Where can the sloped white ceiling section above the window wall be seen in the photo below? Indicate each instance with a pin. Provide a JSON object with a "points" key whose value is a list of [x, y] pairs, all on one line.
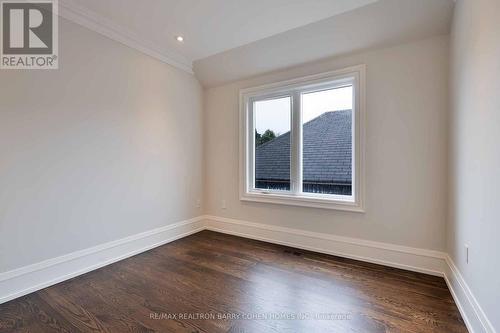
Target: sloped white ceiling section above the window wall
{"points": [[383, 23]]}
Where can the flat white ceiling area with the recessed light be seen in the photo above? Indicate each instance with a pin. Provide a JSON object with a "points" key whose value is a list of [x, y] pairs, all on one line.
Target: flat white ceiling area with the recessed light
{"points": [[208, 26]]}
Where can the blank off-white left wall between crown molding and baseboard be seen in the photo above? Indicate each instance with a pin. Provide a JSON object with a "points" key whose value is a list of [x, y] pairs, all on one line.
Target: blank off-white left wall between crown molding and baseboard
{"points": [[107, 146]]}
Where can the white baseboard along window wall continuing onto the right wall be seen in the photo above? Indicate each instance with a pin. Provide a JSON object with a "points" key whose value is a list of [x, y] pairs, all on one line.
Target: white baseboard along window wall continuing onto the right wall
{"points": [[409, 258]]}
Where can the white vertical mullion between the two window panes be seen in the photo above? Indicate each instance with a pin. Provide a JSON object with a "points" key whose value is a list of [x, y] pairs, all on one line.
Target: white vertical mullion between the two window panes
{"points": [[296, 145]]}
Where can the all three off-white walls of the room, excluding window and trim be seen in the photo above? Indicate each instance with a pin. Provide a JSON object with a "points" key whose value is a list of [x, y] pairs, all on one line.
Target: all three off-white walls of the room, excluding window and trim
{"points": [[115, 143]]}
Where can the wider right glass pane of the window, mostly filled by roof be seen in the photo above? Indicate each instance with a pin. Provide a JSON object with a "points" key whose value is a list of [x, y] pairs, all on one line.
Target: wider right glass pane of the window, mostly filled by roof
{"points": [[327, 141]]}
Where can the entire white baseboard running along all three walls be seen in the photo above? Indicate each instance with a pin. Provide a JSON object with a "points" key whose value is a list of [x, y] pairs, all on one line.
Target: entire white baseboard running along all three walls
{"points": [[37, 276]]}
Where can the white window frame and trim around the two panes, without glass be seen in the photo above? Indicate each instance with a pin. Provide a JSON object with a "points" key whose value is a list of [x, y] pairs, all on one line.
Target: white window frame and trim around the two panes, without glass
{"points": [[353, 75]]}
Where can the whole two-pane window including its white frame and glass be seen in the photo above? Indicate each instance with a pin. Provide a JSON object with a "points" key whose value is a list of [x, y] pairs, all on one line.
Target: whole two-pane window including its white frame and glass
{"points": [[301, 141]]}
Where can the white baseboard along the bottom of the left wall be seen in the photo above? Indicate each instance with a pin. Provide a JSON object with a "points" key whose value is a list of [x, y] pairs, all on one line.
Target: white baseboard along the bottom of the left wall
{"points": [[27, 279]]}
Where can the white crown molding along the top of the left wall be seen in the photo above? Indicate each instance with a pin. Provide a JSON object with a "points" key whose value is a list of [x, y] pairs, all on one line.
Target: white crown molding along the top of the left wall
{"points": [[105, 27]]}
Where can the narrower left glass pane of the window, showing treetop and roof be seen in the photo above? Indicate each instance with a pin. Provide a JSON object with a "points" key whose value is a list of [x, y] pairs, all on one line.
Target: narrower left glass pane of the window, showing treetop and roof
{"points": [[272, 143]]}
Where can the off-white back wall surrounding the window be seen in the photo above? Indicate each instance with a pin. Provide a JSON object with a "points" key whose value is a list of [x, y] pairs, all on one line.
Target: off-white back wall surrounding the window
{"points": [[406, 149]]}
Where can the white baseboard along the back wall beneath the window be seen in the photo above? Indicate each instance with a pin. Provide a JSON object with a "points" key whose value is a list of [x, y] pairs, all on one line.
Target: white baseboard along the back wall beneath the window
{"points": [[409, 258]]}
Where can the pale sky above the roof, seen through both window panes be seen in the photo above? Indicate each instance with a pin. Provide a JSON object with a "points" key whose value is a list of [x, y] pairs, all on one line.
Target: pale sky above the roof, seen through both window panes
{"points": [[275, 114]]}
